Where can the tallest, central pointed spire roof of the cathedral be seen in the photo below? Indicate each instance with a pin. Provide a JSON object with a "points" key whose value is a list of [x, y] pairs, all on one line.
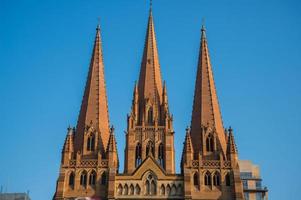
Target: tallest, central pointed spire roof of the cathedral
{"points": [[150, 83]]}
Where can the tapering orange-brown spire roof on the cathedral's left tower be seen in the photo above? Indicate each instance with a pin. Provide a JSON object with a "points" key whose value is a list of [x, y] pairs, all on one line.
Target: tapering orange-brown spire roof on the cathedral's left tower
{"points": [[94, 108]]}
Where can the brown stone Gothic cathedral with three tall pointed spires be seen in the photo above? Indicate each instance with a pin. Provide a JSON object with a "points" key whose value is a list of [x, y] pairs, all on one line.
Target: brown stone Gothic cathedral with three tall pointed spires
{"points": [[89, 166]]}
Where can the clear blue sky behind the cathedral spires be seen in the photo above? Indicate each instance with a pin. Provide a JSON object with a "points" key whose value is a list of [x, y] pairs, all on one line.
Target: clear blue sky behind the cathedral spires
{"points": [[45, 49]]}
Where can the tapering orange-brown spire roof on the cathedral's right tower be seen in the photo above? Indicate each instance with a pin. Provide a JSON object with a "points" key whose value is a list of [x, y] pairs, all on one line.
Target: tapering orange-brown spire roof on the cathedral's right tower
{"points": [[206, 111]]}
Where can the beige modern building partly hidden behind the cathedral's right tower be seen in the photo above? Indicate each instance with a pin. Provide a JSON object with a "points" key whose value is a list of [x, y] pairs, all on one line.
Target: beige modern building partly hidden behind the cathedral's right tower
{"points": [[252, 182]]}
